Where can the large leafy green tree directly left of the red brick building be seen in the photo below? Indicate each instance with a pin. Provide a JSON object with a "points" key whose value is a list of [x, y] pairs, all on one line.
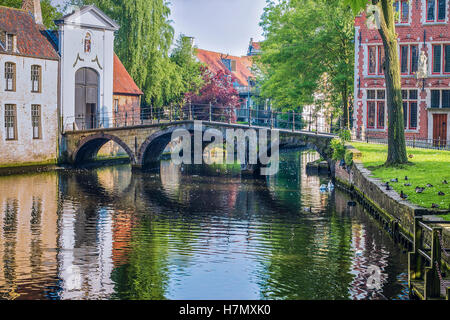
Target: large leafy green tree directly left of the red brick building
{"points": [[305, 40]]}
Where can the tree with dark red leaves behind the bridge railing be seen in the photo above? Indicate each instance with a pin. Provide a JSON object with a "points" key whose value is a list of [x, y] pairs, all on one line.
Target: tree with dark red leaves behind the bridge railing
{"points": [[217, 91]]}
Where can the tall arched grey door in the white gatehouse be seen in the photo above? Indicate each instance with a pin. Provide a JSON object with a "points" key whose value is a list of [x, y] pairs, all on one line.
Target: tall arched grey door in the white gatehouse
{"points": [[86, 98]]}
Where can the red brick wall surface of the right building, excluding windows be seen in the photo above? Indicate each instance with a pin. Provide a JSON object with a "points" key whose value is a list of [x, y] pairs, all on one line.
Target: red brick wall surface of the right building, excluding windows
{"points": [[415, 32]]}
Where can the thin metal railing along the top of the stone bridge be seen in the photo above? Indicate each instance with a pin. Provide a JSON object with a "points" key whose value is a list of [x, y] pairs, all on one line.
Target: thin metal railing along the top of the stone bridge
{"points": [[205, 112]]}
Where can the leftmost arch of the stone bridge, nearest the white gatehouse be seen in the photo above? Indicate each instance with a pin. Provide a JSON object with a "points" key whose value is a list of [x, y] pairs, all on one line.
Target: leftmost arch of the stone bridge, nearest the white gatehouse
{"points": [[88, 147]]}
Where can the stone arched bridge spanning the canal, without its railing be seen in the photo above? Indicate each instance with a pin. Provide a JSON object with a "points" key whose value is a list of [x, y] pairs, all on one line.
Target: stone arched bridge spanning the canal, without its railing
{"points": [[145, 143]]}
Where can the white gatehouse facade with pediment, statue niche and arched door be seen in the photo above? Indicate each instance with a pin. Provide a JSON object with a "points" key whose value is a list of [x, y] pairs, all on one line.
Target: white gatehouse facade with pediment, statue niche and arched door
{"points": [[86, 46]]}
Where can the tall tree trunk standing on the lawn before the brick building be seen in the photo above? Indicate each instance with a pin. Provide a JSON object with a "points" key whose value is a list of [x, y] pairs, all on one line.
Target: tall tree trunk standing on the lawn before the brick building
{"points": [[383, 12]]}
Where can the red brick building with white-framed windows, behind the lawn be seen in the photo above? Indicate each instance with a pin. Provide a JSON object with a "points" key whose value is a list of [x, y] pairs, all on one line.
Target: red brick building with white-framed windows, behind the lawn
{"points": [[423, 31]]}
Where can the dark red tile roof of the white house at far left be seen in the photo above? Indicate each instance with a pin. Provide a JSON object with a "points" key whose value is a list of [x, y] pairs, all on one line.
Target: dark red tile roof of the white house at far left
{"points": [[30, 40]]}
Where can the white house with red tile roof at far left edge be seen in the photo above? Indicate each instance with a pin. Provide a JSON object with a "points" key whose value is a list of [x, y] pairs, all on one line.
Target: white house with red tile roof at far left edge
{"points": [[28, 90]]}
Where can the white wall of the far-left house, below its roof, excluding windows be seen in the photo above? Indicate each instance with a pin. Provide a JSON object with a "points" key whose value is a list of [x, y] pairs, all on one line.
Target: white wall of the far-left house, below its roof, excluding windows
{"points": [[26, 150]]}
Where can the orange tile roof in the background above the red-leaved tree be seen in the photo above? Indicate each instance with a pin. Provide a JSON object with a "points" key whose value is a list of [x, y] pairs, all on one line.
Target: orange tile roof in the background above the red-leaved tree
{"points": [[213, 61]]}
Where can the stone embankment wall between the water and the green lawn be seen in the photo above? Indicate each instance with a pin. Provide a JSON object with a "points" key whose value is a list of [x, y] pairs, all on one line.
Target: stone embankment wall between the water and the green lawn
{"points": [[395, 214]]}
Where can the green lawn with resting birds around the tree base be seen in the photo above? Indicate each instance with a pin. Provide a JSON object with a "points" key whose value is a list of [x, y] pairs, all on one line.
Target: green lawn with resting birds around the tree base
{"points": [[427, 166]]}
